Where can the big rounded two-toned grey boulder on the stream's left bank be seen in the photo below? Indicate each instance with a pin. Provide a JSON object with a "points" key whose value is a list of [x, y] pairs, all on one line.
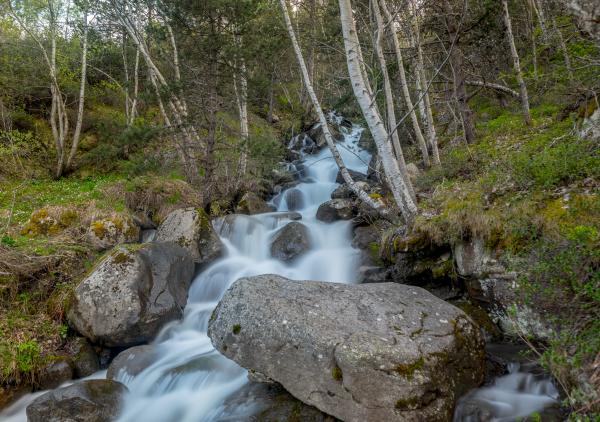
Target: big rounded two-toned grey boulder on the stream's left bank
{"points": [[132, 293]]}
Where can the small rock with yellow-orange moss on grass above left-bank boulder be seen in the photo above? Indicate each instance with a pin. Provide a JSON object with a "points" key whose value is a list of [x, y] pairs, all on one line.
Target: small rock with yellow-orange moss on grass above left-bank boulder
{"points": [[104, 233]]}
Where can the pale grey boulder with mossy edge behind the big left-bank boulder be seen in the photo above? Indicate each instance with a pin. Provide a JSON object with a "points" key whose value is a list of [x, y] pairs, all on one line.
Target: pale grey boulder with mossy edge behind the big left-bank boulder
{"points": [[191, 229]]}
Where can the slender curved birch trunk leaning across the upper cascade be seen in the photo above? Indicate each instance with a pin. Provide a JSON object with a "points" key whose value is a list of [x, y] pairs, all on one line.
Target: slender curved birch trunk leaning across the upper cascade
{"points": [[323, 120]]}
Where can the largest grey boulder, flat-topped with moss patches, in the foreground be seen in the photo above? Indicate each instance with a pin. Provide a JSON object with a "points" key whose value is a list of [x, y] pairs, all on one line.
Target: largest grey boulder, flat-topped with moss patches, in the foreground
{"points": [[371, 352]]}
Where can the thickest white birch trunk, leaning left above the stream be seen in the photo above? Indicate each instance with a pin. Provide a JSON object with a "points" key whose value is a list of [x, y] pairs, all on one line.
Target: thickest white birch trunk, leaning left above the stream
{"points": [[362, 92]]}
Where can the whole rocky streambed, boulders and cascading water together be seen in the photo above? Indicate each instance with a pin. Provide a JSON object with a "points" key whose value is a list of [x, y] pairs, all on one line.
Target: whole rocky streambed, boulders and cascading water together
{"points": [[276, 326]]}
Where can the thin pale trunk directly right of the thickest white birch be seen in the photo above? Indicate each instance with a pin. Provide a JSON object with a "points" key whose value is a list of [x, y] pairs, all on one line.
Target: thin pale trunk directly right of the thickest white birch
{"points": [[389, 99]]}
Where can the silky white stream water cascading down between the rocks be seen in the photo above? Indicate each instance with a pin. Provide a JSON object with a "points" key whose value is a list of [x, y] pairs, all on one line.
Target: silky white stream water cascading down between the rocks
{"points": [[189, 381]]}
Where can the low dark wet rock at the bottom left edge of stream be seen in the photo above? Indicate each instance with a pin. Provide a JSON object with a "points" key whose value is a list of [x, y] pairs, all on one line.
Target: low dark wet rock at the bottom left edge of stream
{"points": [[84, 401]]}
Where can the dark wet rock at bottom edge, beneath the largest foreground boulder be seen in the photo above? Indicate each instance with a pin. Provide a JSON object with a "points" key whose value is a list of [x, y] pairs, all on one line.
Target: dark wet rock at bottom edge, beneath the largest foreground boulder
{"points": [[269, 403]]}
